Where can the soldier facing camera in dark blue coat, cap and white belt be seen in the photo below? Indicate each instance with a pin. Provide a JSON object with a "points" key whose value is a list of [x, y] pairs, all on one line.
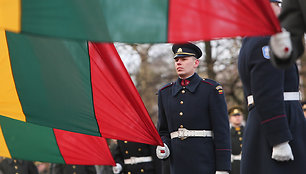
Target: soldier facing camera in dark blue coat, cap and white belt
{"points": [[193, 121]]}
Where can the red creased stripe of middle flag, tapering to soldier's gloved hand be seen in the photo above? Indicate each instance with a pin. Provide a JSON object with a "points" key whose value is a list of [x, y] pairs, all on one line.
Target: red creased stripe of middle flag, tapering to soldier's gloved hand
{"points": [[119, 109]]}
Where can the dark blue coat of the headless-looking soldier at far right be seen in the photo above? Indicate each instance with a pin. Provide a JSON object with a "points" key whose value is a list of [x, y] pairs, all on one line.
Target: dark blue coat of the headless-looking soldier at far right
{"points": [[271, 120]]}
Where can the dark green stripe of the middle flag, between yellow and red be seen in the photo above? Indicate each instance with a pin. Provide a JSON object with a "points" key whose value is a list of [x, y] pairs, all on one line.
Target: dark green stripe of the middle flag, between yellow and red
{"points": [[52, 78]]}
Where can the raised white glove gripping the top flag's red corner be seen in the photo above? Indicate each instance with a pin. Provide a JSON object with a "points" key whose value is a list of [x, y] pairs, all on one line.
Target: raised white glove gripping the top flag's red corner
{"points": [[281, 44]]}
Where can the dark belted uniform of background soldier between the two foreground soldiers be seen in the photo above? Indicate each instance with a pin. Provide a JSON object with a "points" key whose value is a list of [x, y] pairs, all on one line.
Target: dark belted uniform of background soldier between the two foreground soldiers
{"points": [[236, 140]]}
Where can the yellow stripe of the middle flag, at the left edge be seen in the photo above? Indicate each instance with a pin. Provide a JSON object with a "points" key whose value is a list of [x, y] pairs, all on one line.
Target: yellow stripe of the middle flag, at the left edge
{"points": [[10, 105]]}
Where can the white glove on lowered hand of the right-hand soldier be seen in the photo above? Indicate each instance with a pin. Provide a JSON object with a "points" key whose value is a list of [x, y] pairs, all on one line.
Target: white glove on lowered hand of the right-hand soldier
{"points": [[282, 152]]}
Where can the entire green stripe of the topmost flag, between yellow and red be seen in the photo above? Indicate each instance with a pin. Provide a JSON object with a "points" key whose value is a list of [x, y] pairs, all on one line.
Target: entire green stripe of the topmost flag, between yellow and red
{"points": [[97, 20]]}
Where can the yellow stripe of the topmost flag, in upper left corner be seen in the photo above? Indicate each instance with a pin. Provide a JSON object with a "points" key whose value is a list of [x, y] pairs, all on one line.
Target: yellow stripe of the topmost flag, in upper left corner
{"points": [[10, 14]]}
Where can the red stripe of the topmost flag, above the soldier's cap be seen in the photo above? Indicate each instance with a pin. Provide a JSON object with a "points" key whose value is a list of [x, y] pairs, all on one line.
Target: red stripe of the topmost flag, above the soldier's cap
{"points": [[212, 19]]}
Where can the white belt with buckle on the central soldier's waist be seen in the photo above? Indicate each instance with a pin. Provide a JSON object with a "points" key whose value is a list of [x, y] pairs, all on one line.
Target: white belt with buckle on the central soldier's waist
{"points": [[185, 133]]}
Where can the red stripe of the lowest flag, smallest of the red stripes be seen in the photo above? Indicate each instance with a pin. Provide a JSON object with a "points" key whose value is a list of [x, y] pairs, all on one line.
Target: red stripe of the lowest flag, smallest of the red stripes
{"points": [[83, 149]]}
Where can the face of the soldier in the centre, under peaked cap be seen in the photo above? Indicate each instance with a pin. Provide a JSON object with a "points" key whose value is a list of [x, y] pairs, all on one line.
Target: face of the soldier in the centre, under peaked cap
{"points": [[185, 66]]}
